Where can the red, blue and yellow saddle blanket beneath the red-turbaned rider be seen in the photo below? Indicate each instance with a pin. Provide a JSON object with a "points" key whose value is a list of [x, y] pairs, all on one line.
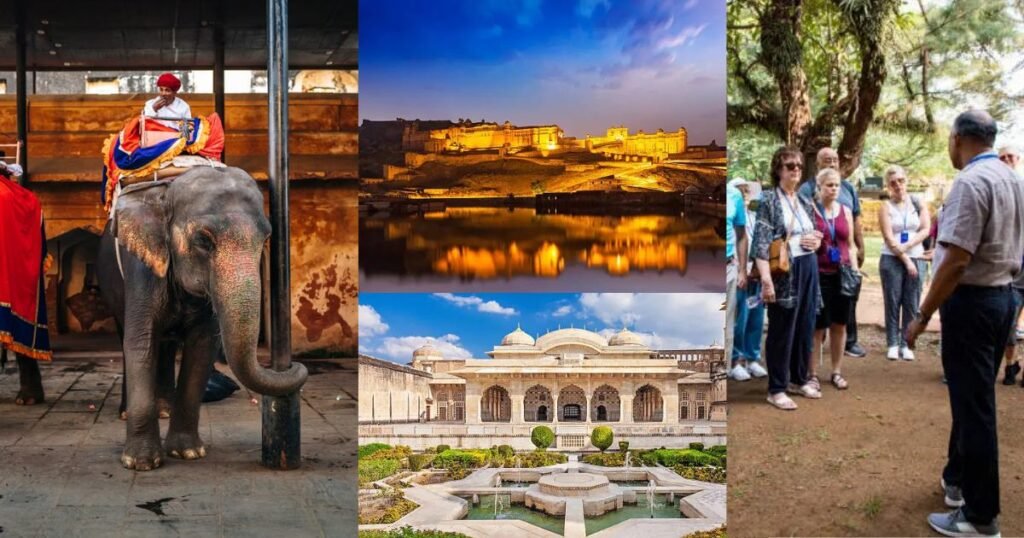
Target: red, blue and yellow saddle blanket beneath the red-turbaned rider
{"points": [[125, 156]]}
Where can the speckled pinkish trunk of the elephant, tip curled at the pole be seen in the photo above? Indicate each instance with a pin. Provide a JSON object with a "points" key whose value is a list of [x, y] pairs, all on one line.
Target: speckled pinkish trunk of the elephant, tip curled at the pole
{"points": [[236, 295]]}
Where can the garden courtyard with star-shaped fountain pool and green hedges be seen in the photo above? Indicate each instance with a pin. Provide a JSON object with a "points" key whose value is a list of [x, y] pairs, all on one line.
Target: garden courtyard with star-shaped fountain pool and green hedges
{"points": [[447, 492]]}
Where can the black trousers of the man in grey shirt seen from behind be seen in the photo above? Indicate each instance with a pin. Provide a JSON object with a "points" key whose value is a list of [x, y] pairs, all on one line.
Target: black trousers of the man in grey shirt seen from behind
{"points": [[976, 323]]}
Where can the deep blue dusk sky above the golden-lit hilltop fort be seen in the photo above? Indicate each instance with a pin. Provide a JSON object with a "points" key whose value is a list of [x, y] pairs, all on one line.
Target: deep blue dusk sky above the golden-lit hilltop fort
{"points": [[585, 65]]}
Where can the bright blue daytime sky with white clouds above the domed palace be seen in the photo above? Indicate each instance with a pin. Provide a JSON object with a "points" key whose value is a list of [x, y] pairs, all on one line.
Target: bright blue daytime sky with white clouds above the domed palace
{"points": [[394, 325]]}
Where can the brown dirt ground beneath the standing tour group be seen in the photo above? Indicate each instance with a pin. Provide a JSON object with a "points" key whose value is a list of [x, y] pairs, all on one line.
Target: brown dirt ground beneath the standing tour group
{"points": [[862, 463]]}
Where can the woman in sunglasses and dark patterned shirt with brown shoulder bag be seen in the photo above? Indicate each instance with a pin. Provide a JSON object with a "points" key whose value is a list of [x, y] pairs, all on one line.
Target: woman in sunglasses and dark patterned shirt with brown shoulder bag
{"points": [[793, 298]]}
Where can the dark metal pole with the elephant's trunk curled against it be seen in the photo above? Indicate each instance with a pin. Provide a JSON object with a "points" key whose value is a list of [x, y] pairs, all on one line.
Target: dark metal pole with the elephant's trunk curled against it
{"points": [[281, 415]]}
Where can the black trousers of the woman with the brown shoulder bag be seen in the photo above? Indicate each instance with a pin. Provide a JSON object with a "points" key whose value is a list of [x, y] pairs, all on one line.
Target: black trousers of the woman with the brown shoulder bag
{"points": [[791, 332]]}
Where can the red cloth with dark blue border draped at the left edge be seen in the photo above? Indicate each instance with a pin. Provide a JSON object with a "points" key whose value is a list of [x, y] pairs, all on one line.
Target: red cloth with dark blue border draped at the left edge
{"points": [[23, 261]]}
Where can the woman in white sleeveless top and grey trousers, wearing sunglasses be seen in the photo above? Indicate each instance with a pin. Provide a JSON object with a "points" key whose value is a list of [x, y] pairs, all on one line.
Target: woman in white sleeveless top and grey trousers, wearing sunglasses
{"points": [[906, 224]]}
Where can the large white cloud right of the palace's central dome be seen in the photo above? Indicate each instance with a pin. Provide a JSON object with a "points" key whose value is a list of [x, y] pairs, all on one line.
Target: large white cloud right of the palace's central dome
{"points": [[669, 320]]}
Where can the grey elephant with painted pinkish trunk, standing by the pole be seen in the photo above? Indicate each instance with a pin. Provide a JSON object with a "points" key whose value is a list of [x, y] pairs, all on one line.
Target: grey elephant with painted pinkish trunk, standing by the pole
{"points": [[180, 264]]}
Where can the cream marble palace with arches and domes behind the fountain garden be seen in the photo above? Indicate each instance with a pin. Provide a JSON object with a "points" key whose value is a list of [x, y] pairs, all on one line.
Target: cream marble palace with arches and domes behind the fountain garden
{"points": [[570, 380]]}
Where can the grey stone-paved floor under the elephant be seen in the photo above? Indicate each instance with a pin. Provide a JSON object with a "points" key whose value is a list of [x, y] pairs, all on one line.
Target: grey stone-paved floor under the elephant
{"points": [[61, 476]]}
